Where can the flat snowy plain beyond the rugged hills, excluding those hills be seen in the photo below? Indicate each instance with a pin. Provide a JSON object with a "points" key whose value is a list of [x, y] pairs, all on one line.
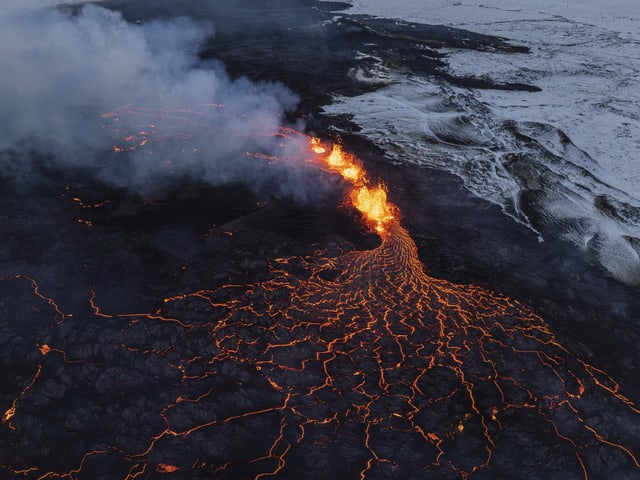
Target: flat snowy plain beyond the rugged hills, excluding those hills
{"points": [[585, 57]]}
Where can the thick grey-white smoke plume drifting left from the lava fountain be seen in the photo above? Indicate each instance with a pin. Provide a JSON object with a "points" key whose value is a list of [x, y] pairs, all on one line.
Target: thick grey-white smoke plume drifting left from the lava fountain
{"points": [[62, 70]]}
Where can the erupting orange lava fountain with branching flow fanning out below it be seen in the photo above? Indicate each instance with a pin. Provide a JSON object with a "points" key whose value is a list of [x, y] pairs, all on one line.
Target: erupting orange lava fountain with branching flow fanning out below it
{"points": [[348, 363]]}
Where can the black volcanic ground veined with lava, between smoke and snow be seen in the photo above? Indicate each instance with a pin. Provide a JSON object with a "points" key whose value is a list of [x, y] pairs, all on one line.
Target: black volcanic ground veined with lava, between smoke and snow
{"points": [[192, 328]]}
